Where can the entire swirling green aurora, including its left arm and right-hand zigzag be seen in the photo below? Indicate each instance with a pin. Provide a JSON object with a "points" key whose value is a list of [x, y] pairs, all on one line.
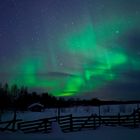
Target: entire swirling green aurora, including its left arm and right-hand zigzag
{"points": [[81, 43]]}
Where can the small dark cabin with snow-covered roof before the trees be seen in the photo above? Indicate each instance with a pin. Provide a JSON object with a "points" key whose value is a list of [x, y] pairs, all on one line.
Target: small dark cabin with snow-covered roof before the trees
{"points": [[36, 107]]}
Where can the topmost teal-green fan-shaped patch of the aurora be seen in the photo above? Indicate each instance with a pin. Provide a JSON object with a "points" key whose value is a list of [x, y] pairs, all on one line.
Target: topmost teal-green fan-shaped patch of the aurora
{"points": [[81, 41]]}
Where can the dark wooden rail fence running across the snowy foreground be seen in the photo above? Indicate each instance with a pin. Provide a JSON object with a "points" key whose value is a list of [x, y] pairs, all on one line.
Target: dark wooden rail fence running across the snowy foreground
{"points": [[69, 123]]}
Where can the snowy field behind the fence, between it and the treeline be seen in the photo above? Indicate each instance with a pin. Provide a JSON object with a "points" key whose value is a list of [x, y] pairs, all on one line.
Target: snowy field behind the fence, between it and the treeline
{"points": [[75, 111]]}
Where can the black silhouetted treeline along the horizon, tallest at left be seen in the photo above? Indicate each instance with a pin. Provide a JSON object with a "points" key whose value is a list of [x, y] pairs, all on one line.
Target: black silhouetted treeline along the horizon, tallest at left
{"points": [[19, 98]]}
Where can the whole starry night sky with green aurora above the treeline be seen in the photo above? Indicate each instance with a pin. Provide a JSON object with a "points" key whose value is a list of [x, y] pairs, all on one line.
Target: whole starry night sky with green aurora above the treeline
{"points": [[82, 48]]}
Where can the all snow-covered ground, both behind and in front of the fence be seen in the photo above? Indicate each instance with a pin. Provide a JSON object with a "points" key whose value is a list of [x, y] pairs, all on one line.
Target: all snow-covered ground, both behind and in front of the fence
{"points": [[107, 133]]}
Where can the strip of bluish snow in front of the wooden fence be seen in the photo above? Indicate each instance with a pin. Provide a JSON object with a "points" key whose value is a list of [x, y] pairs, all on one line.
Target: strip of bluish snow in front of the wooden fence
{"points": [[103, 133]]}
